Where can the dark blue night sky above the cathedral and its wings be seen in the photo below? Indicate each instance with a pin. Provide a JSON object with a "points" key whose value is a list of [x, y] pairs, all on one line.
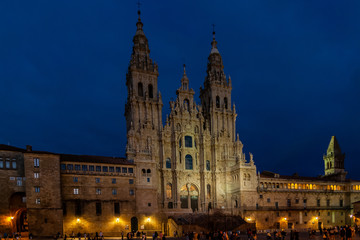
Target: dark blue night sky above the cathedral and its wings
{"points": [[295, 69]]}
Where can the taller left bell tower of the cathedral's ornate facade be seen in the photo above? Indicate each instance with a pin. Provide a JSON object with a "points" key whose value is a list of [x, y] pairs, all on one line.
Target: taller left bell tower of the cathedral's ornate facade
{"points": [[143, 121]]}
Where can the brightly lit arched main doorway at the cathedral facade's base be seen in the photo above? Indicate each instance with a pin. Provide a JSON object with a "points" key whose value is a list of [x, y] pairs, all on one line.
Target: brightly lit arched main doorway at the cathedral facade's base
{"points": [[189, 197]]}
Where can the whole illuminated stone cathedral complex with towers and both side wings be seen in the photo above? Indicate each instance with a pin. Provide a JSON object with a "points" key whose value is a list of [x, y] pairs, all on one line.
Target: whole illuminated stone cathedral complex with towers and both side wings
{"points": [[191, 165]]}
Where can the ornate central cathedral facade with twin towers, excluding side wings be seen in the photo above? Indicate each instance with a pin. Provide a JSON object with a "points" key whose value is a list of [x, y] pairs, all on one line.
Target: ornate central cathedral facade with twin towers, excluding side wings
{"points": [[183, 165]]}
